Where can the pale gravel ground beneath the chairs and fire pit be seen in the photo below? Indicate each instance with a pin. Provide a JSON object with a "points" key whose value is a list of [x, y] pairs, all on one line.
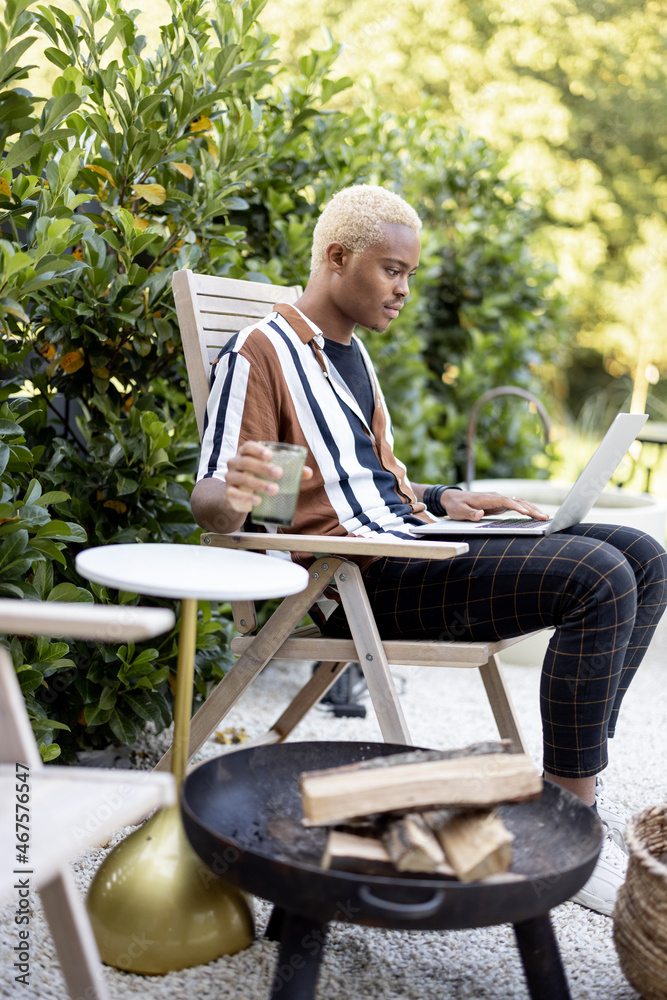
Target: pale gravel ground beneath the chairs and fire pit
{"points": [[443, 708]]}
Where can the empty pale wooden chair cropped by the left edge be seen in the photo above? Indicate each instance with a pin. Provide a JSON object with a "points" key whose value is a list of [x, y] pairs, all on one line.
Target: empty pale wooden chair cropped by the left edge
{"points": [[60, 811]]}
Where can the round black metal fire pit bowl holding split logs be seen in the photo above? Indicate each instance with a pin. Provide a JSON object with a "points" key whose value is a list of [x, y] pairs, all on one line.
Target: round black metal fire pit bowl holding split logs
{"points": [[242, 813]]}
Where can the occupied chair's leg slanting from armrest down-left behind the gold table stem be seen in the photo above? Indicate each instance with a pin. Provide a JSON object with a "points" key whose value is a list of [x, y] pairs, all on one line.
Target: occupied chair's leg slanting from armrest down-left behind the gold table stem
{"points": [[269, 639]]}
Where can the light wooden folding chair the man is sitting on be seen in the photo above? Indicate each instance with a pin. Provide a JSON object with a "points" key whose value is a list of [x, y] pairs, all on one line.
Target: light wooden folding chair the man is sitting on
{"points": [[210, 310]]}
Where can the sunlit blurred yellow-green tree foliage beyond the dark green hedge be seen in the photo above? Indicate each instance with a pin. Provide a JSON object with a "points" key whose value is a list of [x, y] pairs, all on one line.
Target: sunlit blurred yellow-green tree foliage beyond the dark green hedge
{"points": [[573, 95]]}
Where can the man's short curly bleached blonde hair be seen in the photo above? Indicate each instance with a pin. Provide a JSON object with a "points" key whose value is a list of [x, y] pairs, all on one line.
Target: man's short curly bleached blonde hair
{"points": [[354, 217]]}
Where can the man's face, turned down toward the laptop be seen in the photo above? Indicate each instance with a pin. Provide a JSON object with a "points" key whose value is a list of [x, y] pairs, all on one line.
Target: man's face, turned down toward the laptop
{"points": [[372, 286]]}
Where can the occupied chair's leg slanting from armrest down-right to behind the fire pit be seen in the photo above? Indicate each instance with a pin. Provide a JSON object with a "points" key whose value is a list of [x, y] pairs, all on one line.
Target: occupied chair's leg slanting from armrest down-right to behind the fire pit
{"points": [[371, 654]]}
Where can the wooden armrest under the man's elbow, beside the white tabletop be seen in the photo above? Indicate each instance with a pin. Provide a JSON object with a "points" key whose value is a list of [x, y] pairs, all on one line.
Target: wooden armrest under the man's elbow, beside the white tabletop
{"points": [[336, 545]]}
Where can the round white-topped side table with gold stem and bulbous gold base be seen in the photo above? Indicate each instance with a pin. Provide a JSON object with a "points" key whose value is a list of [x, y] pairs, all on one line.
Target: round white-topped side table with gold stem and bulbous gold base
{"points": [[152, 887]]}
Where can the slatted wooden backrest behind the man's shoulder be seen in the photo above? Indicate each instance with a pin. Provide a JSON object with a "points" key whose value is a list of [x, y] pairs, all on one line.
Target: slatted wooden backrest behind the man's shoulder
{"points": [[210, 309]]}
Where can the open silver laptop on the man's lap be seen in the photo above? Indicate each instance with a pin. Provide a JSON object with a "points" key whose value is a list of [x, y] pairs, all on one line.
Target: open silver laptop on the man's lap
{"points": [[577, 503]]}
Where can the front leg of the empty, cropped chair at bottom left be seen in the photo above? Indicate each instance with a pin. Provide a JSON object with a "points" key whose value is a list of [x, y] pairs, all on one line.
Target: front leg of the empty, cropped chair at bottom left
{"points": [[73, 937]]}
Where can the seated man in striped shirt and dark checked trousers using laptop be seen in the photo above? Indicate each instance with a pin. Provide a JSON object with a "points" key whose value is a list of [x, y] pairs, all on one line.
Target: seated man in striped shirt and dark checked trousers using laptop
{"points": [[302, 376]]}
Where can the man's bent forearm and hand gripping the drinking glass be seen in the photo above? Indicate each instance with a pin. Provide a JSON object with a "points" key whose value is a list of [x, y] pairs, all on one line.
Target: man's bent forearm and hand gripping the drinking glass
{"points": [[223, 507]]}
